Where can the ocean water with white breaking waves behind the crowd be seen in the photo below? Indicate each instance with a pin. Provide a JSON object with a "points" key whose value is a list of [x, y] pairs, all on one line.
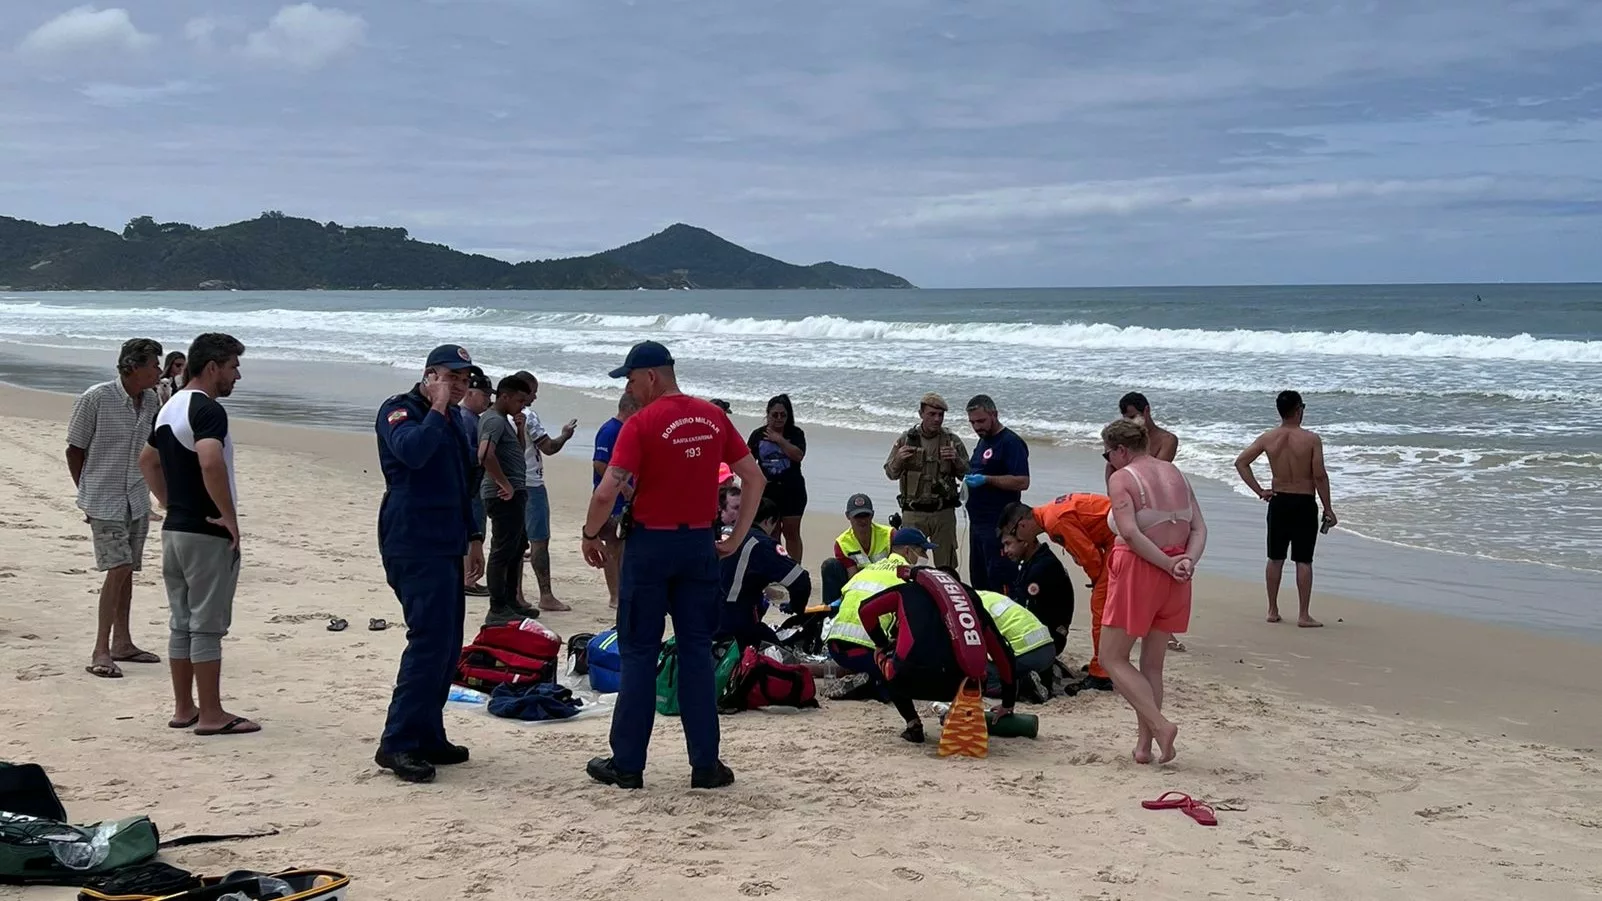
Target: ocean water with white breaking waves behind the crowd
{"points": [[1465, 419]]}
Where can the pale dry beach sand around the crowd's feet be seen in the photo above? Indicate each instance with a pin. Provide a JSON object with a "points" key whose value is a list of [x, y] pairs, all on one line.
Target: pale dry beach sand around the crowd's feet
{"points": [[1396, 754]]}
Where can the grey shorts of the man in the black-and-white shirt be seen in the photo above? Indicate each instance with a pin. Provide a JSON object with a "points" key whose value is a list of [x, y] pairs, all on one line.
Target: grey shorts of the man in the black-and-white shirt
{"points": [[201, 575]]}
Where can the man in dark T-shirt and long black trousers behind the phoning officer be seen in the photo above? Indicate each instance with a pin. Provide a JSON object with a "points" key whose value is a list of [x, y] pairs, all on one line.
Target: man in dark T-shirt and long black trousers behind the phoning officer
{"points": [[505, 498]]}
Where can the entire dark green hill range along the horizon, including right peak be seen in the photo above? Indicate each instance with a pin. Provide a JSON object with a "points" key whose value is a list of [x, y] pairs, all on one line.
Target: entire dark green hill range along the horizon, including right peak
{"points": [[278, 253]]}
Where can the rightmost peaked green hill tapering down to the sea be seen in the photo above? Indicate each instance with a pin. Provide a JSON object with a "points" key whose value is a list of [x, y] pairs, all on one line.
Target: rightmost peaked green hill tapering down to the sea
{"points": [[704, 261]]}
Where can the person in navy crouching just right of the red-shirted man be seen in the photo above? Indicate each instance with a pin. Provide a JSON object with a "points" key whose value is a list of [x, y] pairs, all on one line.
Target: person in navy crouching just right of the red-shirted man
{"points": [[747, 576]]}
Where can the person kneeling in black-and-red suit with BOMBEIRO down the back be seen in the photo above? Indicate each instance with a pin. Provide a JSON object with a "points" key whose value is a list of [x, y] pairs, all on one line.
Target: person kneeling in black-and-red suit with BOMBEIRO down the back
{"points": [[944, 637]]}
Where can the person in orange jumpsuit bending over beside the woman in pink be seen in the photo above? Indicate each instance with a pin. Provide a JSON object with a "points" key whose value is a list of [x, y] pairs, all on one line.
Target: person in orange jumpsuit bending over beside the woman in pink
{"points": [[1079, 525]]}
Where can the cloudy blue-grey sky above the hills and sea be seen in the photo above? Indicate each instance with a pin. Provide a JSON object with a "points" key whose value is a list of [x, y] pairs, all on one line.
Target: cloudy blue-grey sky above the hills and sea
{"points": [[956, 143]]}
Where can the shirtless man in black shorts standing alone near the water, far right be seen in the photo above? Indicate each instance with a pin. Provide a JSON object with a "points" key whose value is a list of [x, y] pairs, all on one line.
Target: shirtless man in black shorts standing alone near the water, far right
{"points": [[1297, 463]]}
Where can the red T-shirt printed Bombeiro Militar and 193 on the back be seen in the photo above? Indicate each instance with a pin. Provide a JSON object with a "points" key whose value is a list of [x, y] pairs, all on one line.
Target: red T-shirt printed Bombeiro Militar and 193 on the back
{"points": [[674, 446]]}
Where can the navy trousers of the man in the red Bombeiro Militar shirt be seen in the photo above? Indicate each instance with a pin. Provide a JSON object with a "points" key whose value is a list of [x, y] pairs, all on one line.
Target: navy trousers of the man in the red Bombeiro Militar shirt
{"points": [[667, 573]]}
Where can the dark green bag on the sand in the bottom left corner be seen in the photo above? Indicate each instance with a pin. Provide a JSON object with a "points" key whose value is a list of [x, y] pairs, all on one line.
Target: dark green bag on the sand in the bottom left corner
{"points": [[28, 857]]}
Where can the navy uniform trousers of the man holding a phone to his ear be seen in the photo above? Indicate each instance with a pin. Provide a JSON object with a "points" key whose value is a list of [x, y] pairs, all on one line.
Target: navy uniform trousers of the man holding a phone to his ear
{"points": [[435, 605]]}
